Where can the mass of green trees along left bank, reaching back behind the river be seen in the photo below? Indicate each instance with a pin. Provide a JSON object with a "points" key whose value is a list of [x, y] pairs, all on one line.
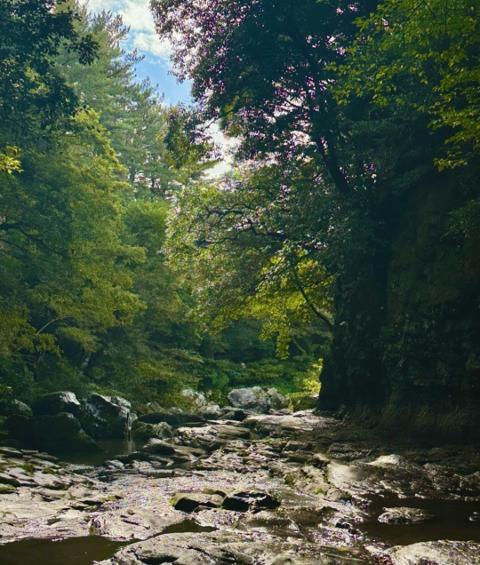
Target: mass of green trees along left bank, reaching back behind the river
{"points": [[96, 288]]}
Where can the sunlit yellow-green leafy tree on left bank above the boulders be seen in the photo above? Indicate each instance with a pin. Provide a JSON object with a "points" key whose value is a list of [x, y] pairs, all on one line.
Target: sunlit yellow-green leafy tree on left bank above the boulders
{"points": [[62, 279]]}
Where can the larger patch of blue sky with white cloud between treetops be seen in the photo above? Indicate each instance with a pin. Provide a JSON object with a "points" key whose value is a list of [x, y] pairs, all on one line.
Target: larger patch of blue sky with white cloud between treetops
{"points": [[156, 64]]}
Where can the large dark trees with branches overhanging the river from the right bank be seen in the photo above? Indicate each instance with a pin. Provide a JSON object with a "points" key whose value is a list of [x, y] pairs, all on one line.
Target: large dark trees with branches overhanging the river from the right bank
{"points": [[350, 116]]}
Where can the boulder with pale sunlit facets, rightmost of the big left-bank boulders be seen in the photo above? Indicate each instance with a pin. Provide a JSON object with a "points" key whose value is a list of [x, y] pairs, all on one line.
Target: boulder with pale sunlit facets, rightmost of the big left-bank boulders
{"points": [[107, 417]]}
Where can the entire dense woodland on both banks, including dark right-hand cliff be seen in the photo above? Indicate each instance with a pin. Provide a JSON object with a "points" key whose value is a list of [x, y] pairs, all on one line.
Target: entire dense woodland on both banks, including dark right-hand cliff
{"points": [[346, 235]]}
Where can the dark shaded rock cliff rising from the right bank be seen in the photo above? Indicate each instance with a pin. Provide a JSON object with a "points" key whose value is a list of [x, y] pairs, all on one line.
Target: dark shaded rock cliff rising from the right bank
{"points": [[405, 352]]}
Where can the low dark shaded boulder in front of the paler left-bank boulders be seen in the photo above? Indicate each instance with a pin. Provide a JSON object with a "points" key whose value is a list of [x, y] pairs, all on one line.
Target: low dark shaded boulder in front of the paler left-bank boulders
{"points": [[62, 433]]}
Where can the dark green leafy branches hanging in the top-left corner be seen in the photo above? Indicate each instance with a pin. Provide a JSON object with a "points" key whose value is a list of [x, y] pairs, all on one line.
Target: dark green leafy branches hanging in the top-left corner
{"points": [[33, 94]]}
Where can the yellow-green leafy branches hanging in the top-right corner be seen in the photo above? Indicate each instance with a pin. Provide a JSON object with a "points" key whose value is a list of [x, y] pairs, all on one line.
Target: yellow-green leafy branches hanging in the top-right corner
{"points": [[423, 57]]}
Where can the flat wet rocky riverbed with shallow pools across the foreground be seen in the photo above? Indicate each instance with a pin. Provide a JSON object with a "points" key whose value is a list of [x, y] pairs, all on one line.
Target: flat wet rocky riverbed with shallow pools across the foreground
{"points": [[272, 489]]}
